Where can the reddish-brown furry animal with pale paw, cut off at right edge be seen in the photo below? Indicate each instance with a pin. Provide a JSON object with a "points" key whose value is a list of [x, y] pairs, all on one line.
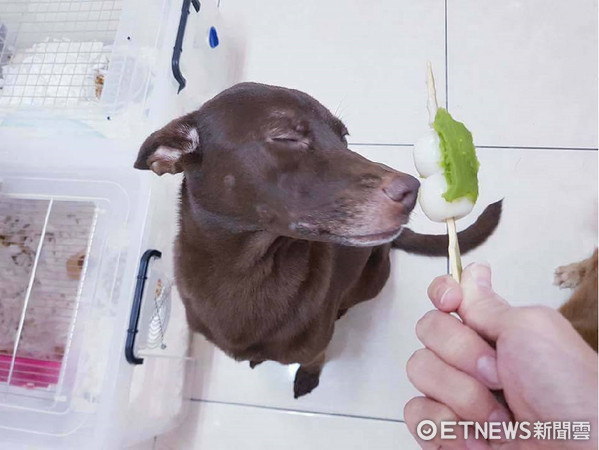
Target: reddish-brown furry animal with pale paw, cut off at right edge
{"points": [[581, 308]]}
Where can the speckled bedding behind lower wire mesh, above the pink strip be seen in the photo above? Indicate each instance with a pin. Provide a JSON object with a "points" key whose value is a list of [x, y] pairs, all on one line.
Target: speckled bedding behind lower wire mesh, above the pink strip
{"points": [[52, 302]]}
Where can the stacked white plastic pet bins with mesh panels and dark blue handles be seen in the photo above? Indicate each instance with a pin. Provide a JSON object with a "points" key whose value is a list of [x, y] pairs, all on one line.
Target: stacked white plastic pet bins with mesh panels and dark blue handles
{"points": [[93, 336]]}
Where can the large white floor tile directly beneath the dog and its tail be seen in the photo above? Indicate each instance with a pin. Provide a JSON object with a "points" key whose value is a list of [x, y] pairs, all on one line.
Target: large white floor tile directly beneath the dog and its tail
{"points": [[548, 220]]}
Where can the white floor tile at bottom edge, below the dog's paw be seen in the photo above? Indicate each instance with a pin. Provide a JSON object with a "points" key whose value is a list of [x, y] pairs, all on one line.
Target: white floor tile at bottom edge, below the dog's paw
{"points": [[225, 427]]}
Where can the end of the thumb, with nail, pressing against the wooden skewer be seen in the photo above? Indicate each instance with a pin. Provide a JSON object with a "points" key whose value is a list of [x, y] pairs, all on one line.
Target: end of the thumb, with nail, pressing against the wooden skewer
{"points": [[481, 308]]}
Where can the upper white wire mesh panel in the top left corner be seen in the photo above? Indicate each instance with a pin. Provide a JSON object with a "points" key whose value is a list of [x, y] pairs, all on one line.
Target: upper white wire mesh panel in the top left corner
{"points": [[55, 53]]}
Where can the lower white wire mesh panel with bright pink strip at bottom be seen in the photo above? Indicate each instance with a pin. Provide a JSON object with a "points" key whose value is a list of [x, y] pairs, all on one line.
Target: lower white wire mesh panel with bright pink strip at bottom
{"points": [[43, 247]]}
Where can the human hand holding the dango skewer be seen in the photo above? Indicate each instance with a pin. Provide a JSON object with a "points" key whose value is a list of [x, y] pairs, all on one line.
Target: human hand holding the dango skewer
{"points": [[547, 372]]}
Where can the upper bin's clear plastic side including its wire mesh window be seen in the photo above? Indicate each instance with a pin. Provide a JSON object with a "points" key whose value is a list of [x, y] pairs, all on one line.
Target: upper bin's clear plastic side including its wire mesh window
{"points": [[81, 59]]}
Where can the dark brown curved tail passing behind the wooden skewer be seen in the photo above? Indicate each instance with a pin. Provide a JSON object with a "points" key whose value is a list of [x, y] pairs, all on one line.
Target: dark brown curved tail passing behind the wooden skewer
{"points": [[436, 244]]}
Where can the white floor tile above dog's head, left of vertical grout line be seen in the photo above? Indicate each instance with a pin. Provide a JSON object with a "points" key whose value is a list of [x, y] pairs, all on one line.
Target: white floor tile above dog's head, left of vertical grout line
{"points": [[364, 60]]}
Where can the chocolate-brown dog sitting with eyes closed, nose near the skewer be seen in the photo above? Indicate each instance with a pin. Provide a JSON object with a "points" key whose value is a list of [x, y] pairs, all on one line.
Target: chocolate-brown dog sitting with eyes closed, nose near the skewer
{"points": [[282, 227]]}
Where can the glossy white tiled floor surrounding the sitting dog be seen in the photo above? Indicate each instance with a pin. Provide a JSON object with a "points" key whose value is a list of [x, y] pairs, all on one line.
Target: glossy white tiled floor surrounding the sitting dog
{"points": [[520, 74]]}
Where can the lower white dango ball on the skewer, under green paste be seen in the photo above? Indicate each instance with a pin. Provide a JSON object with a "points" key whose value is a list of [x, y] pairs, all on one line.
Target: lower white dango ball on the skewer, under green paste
{"points": [[435, 206]]}
